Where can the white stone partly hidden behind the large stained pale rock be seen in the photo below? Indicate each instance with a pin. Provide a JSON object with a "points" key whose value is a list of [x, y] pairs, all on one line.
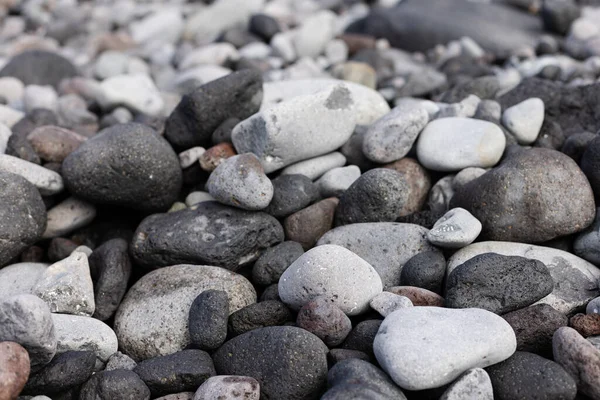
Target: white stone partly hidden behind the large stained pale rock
{"points": [[370, 105]]}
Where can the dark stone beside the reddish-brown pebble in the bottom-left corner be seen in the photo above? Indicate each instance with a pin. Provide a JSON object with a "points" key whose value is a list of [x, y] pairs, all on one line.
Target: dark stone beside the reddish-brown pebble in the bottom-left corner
{"points": [[65, 371]]}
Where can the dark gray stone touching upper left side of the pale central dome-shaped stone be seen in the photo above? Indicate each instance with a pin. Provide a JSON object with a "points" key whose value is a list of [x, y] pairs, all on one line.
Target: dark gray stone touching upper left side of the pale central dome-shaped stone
{"points": [[274, 261]]}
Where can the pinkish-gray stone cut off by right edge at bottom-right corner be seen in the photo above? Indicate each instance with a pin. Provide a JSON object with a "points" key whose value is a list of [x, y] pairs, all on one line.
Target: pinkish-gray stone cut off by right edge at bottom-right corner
{"points": [[579, 358]]}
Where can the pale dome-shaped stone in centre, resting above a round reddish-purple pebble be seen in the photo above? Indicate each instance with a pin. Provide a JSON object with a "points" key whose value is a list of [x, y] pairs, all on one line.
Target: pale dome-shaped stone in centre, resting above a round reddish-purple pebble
{"points": [[333, 272]]}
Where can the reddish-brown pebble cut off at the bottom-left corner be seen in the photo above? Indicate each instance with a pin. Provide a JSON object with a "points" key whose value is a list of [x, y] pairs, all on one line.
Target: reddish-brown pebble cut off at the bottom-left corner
{"points": [[14, 369]]}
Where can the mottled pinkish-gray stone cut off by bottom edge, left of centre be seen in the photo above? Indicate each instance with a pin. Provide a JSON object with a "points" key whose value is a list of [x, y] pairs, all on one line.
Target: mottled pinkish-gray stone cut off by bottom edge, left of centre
{"points": [[228, 386]]}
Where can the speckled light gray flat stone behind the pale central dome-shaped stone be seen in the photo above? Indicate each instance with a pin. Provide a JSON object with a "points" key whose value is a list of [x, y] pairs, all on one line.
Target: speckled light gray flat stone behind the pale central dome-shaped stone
{"points": [[387, 246]]}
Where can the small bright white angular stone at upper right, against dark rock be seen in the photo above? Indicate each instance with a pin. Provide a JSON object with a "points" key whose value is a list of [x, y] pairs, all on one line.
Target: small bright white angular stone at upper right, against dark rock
{"points": [[524, 120]]}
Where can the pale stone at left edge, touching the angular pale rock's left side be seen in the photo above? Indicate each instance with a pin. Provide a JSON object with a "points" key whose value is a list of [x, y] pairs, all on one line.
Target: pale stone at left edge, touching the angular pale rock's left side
{"points": [[20, 278]]}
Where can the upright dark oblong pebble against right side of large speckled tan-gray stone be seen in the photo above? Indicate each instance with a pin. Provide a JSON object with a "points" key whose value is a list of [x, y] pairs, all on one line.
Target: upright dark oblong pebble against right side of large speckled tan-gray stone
{"points": [[208, 319]]}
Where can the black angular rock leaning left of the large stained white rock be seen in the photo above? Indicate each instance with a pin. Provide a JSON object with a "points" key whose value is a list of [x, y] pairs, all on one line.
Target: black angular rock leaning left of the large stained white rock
{"points": [[199, 114]]}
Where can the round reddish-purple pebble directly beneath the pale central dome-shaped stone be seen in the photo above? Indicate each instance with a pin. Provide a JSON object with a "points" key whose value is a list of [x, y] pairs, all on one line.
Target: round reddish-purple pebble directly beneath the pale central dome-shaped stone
{"points": [[325, 320]]}
